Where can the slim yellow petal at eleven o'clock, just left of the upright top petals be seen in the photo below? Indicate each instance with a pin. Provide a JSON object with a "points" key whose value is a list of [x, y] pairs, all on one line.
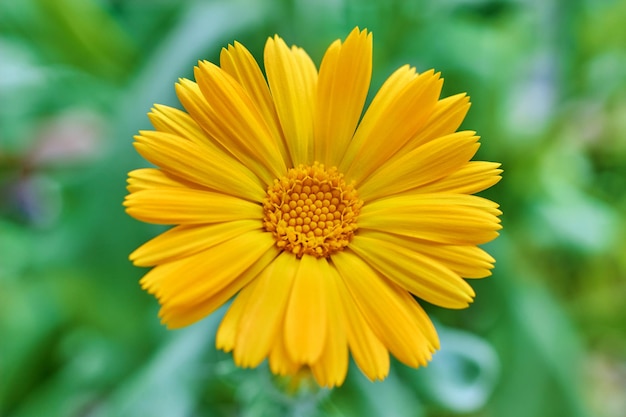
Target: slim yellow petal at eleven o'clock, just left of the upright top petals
{"points": [[239, 63]]}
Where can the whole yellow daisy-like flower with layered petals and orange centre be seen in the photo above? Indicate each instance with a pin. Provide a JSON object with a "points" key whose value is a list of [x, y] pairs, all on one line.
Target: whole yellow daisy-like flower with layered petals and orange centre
{"points": [[322, 222]]}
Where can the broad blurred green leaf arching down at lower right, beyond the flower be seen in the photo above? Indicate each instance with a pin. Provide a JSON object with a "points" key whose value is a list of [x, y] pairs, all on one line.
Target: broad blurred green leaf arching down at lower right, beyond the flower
{"points": [[540, 351]]}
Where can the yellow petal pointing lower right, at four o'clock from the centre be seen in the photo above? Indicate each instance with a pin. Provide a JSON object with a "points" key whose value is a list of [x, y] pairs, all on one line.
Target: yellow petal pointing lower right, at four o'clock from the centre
{"points": [[413, 271]]}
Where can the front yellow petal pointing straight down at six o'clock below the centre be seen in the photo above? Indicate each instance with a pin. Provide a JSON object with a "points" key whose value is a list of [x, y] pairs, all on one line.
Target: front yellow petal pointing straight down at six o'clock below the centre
{"points": [[306, 315]]}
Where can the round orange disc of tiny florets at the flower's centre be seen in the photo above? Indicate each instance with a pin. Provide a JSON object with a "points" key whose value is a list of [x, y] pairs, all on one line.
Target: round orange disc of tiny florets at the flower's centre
{"points": [[311, 210]]}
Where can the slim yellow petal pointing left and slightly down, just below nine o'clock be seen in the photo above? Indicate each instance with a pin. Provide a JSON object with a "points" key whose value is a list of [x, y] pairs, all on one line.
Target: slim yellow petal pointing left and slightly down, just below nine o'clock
{"points": [[185, 240]]}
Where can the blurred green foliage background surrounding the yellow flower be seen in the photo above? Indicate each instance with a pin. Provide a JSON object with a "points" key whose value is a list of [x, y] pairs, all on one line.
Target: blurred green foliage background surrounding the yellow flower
{"points": [[546, 335]]}
